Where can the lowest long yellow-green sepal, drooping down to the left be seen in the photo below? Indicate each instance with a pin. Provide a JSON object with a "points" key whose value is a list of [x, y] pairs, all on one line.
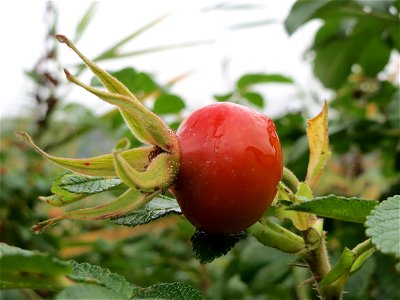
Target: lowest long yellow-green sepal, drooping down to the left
{"points": [[125, 203]]}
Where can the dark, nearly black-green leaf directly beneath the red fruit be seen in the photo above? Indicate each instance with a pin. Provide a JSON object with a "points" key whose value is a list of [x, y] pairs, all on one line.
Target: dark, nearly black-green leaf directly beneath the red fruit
{"points": [[207, 247]]}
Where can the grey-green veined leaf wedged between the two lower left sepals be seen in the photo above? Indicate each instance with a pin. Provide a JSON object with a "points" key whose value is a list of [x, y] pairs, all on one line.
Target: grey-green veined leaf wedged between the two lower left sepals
{"points": [[80, 184]]}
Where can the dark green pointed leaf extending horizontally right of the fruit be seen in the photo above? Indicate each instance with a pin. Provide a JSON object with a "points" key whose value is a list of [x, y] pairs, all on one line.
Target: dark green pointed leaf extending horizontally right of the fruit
{"points": [[337, 207]]}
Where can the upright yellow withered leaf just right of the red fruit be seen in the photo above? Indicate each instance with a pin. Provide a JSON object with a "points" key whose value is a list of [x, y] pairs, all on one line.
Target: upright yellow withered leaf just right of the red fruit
{"points": [[318, 140]]}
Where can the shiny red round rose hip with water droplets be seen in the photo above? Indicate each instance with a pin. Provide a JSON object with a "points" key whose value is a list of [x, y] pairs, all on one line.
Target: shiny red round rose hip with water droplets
{"points": [[231, 163]]}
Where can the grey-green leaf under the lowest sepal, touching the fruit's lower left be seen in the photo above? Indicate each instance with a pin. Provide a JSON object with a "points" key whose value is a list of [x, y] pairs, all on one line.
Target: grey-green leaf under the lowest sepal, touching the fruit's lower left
{"points": [[157, 208]]}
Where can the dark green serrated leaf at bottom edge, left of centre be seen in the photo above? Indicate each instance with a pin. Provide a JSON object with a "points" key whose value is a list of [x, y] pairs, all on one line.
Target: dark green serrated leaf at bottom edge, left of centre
{"points": [[168, 291]]}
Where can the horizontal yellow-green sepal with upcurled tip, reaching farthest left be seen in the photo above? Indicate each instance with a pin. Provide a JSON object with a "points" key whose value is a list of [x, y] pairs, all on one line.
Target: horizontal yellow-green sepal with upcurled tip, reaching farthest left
{"points": [[102, 165]]}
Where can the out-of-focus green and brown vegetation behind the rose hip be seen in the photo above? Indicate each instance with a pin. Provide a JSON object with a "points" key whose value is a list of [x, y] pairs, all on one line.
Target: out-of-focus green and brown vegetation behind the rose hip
{"points": [[354, 54]]}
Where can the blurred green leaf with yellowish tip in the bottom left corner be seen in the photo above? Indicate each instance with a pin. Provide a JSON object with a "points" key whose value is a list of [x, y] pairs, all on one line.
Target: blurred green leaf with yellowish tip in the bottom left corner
{"points": [[30, 269]]}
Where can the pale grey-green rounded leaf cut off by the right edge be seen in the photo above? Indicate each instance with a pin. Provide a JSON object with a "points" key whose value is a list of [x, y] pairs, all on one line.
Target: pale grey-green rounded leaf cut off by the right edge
{"points": [[383, 226]]}
